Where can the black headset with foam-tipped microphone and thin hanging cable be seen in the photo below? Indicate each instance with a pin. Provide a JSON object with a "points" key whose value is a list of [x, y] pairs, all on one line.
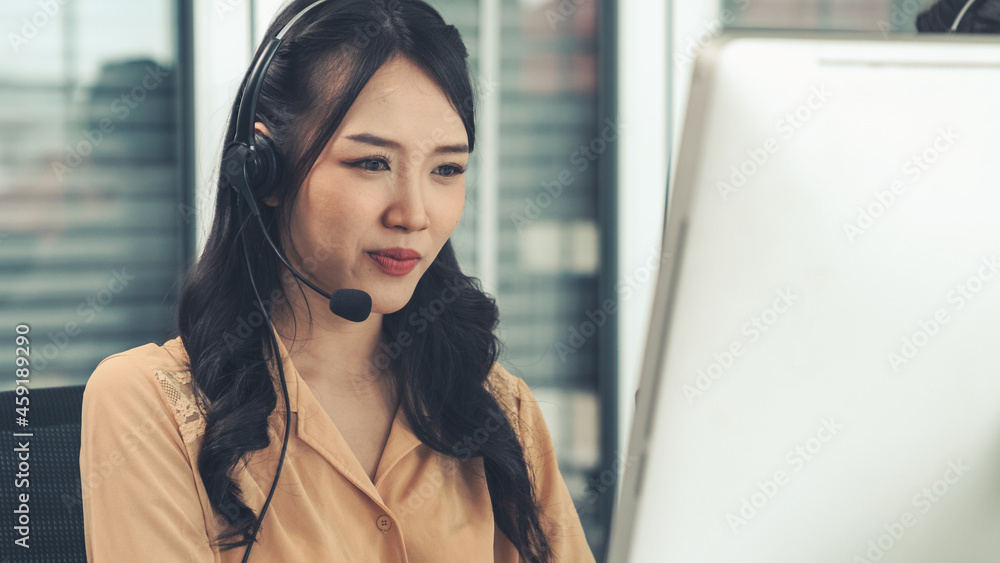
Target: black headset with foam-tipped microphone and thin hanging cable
{"points": [[251, 165]]}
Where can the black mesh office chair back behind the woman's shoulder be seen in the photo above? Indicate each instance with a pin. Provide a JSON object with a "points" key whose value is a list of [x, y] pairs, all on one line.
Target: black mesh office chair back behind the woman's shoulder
{"points": [[55, 508]]}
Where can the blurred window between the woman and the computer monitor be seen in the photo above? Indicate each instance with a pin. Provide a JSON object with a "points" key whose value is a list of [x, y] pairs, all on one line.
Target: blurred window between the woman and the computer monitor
{"points": [[531, 230]]}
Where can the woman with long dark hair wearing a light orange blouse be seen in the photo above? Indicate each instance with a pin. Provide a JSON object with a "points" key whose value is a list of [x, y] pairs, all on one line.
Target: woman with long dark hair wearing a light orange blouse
{"points": [[407, 441]]}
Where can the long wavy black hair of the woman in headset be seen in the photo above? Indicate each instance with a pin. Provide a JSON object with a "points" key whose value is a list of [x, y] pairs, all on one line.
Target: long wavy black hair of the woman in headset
{"points": [[442, 377]]}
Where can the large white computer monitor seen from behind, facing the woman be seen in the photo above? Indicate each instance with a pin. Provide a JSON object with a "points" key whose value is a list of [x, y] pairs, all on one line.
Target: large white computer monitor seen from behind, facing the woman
{"points": [[821, 380]]}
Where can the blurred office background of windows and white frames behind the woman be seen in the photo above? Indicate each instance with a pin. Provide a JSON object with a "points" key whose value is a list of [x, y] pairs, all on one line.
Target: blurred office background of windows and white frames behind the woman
{"points": [[111, 120]]}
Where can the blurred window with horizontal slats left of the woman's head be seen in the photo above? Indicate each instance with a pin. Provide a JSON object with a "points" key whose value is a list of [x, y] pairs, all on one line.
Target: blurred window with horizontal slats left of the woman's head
{"points": [[91, 223]]}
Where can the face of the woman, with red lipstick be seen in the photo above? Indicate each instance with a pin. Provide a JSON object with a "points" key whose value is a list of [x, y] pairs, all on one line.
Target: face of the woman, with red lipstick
{"points": [[386, 192]]}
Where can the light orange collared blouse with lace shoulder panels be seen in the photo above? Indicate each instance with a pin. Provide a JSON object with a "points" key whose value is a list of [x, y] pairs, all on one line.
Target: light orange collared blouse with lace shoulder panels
{"points": [[144, 500]]}
